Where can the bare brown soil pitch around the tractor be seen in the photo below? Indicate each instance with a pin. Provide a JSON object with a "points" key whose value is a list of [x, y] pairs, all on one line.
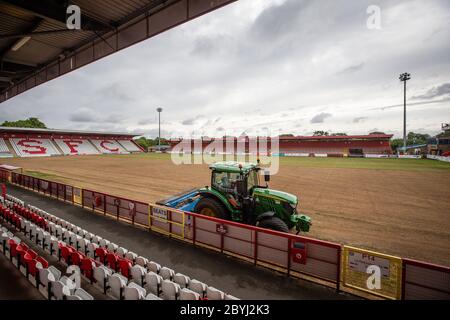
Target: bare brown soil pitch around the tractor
{"points": [[404, 213]]}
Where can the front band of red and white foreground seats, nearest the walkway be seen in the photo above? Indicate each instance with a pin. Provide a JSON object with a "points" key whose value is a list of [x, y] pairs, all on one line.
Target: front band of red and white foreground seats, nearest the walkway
{"points": [[115, 270]]}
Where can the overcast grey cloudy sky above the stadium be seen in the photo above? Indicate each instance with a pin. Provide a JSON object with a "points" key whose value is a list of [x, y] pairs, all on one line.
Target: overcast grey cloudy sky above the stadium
{"points": [[265, 67]]}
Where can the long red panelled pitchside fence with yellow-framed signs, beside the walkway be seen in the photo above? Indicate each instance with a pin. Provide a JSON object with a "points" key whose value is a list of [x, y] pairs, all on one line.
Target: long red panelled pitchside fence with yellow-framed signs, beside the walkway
{"points": [[298, 256]]}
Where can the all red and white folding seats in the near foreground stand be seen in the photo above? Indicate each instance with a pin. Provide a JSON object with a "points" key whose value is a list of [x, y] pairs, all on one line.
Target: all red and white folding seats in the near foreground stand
{"points": [[123, 275]]}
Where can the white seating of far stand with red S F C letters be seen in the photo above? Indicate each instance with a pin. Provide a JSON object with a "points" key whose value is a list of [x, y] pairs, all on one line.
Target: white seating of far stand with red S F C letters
{"points": [[40, 147]]}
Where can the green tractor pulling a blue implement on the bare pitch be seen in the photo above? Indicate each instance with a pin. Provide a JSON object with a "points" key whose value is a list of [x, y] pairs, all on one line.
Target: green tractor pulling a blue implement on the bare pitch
{"points": [[236, 194]]}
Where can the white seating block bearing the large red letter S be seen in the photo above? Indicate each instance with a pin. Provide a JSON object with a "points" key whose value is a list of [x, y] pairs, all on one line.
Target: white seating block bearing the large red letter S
{"points": [[33, 147]]}
